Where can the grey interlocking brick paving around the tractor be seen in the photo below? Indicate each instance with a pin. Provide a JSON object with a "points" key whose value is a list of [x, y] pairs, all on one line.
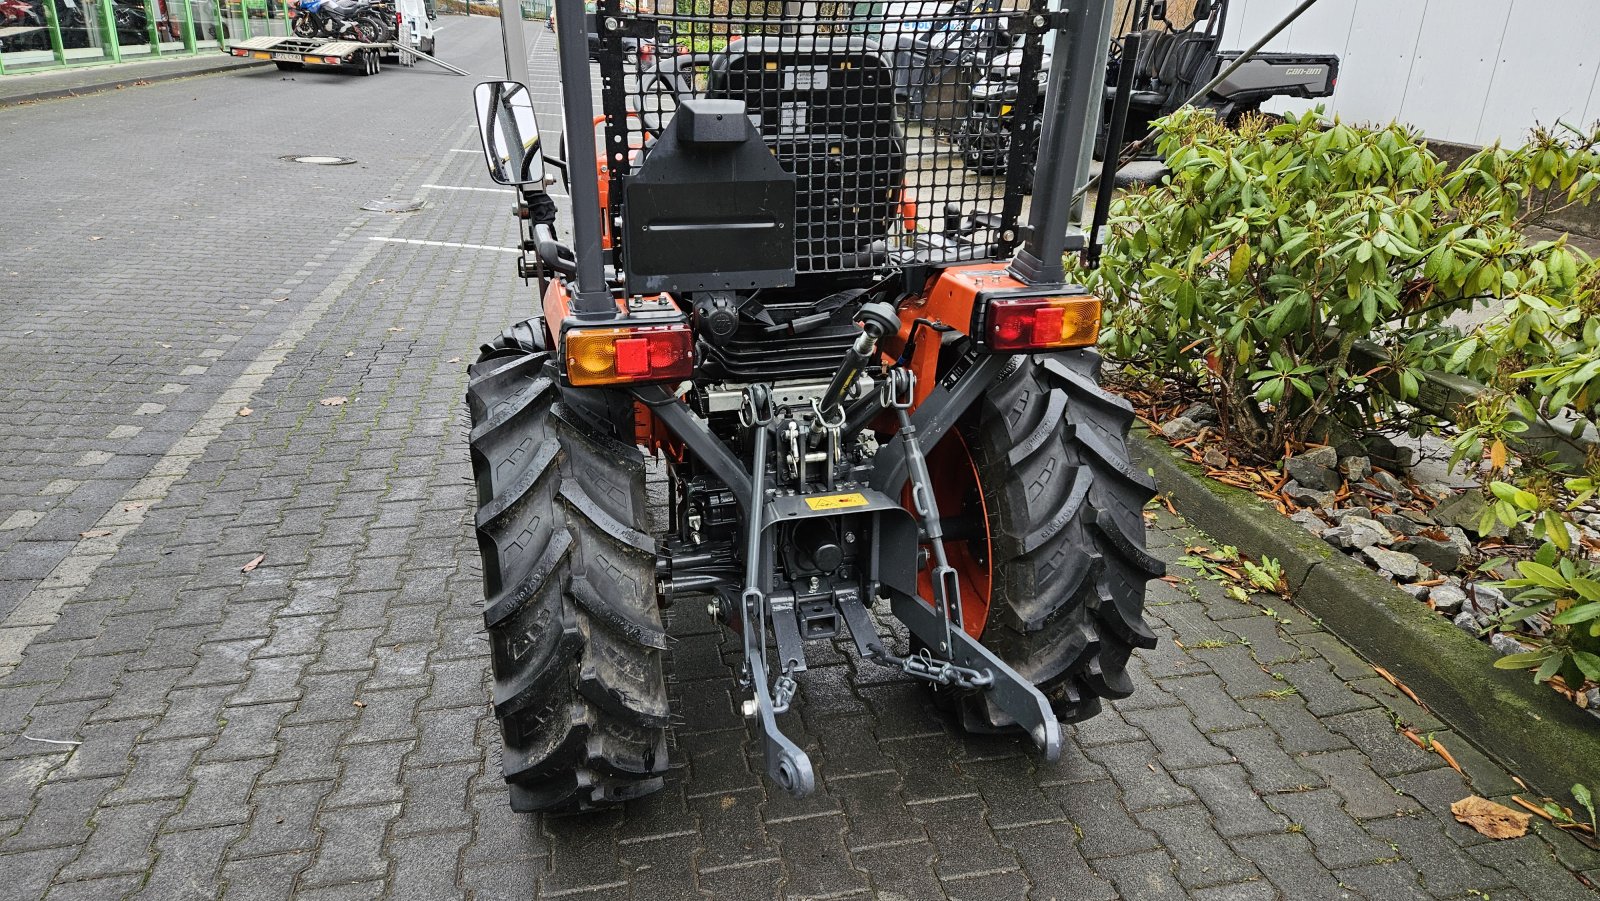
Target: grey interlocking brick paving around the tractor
{"points": [[175, 727]]}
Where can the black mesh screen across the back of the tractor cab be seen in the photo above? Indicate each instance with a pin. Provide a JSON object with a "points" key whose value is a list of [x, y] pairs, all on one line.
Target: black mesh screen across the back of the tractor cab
{"points": [[900, 121]]}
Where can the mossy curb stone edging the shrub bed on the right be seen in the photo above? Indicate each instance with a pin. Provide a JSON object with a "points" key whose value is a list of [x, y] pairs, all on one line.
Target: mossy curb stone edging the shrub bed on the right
{"points": [[1521, 726]]}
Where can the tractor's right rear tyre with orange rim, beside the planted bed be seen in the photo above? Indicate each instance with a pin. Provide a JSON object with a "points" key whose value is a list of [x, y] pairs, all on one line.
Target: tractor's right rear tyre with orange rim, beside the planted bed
{"points": [[1063, 556]]}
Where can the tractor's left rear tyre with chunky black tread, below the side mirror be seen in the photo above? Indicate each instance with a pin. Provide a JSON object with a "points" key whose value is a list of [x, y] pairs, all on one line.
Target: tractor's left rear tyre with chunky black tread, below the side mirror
{"points": [[569, 582]]}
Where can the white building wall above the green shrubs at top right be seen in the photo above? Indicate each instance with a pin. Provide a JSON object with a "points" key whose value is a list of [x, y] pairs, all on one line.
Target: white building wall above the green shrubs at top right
{"points": [[1466, 71]]}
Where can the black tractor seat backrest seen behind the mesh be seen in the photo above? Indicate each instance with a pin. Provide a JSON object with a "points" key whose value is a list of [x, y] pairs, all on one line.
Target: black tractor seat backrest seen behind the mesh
{"points": [[826, 110]]}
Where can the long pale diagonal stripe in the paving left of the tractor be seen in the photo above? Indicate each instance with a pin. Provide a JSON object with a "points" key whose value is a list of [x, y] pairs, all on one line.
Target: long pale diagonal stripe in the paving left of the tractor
{"points": [[73, 575]]}
